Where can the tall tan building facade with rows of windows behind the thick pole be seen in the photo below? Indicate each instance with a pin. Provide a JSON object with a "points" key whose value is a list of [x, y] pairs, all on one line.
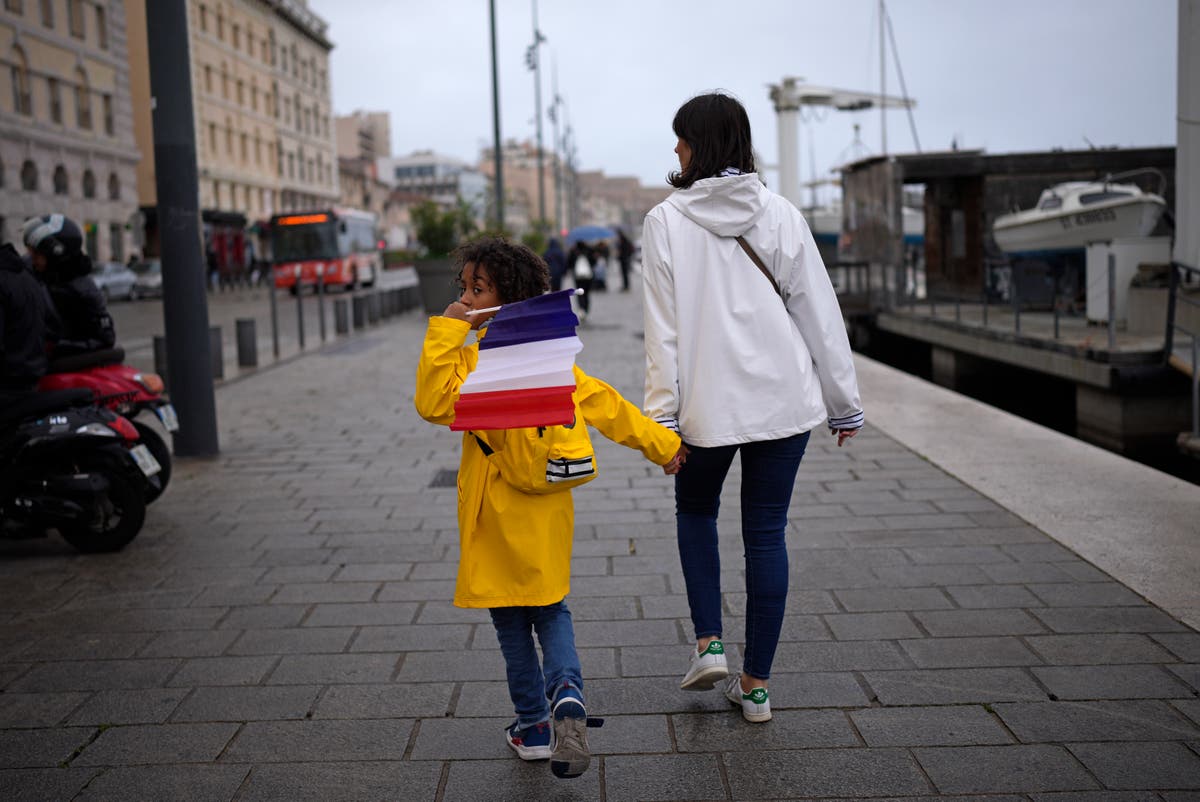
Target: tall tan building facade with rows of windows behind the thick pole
{"points": [[261, 92]]}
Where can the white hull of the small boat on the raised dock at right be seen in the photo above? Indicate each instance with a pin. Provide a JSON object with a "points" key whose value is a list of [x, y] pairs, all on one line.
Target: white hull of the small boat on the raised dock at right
{"points": [[1031, 232]]}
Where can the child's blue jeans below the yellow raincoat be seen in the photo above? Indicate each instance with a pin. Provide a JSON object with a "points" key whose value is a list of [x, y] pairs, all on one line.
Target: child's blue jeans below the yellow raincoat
{"points": [[529, 686]]}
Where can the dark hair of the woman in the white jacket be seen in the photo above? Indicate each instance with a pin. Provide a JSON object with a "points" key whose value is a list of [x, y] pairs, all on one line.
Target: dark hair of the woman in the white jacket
{"points": [[717, 129]]}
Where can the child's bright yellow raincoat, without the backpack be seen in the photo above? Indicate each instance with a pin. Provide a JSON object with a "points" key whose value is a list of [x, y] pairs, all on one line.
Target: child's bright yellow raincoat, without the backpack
{"points": [[517, 548]]}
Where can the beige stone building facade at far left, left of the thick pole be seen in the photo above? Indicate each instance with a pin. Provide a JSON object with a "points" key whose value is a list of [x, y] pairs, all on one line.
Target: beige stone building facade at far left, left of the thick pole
{"points": [[67, 143]]}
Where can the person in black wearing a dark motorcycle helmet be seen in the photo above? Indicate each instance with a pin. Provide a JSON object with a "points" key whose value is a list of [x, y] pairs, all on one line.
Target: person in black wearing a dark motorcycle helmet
{"points": [[56, 250]]}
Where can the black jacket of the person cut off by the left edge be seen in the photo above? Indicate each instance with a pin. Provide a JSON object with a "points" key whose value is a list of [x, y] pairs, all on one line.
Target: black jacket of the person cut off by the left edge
{"points": [[26, 321]]}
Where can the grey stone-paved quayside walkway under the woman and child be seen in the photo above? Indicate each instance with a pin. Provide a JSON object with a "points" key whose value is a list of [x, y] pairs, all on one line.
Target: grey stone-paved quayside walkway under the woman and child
{"points": [[283, 630]]}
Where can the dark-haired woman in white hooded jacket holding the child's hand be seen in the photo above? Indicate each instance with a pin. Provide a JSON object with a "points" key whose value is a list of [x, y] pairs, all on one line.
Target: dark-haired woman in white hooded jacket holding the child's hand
{"points": [[746, 352]]}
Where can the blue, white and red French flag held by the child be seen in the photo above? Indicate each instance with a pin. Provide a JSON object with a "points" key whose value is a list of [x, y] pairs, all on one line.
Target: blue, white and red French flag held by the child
{"points": [[526, 375]]}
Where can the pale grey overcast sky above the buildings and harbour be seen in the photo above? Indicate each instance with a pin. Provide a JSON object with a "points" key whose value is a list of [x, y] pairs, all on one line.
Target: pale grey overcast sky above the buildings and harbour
{"points": [[1005, 76]]}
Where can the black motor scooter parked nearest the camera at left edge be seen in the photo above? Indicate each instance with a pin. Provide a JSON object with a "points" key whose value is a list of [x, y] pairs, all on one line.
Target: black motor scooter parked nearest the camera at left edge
{"points": [[71, 468]]}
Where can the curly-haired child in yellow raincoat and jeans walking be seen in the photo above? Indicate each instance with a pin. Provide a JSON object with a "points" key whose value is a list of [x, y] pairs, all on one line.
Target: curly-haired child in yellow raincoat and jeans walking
{"points": [[517, 547]]}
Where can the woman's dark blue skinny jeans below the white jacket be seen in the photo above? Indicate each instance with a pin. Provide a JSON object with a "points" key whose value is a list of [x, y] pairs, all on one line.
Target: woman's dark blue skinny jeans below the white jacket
{"points": [[769, 472]]}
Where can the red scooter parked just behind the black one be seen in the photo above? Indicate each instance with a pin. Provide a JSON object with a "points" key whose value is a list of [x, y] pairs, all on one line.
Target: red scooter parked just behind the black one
{"points": [[129, 393]]}
